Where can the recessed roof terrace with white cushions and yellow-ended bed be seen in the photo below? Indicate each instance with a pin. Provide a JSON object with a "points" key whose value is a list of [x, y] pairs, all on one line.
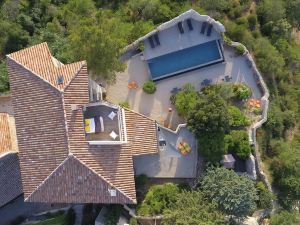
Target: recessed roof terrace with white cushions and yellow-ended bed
{"points": [[103, 122]]}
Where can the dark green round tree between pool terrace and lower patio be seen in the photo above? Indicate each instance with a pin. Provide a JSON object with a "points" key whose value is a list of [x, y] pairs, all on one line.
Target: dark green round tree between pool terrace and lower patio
{"points": [[210, 115]]}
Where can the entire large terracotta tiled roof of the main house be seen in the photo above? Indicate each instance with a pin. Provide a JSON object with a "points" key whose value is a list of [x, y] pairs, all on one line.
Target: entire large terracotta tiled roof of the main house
{"points": [[54, 153]]}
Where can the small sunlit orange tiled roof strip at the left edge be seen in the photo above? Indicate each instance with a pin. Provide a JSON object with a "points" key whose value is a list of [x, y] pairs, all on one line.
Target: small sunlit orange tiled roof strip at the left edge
{"points": [[5, 139]]}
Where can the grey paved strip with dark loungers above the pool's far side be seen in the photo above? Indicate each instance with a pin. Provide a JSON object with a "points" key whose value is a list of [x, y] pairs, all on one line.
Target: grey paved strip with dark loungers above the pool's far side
{"points": [[171, 40]]}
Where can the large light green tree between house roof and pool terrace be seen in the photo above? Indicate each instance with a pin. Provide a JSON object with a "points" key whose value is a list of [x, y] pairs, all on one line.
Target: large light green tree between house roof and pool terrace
{"points": [[98, 40]]}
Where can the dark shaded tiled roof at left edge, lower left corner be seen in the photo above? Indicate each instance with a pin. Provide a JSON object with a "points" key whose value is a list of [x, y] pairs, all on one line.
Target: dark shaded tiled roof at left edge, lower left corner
{"points": [[10, 178]]}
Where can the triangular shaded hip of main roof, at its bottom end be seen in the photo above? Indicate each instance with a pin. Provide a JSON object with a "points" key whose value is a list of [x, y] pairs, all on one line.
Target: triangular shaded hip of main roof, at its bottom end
{"points": [[83, 186]]}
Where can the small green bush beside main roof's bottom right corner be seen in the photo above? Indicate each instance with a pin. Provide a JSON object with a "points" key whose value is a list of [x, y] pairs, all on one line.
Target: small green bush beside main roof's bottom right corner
{"points": [[158, 198]]}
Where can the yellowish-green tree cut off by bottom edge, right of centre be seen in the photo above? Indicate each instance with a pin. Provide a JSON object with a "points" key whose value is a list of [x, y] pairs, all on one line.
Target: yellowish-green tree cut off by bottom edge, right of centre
{"points": [[191, 207]]}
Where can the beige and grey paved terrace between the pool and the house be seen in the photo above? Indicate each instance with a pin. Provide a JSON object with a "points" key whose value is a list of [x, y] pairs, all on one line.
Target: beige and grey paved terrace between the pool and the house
{"points": [[156, 106]]}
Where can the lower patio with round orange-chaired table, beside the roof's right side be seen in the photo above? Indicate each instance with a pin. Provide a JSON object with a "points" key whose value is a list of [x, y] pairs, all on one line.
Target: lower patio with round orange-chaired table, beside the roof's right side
{"points": [[169, 162]]}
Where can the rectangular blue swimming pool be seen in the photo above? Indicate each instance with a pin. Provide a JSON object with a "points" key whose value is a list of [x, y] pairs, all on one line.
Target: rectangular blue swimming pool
{"points": [[184, 60]]}
